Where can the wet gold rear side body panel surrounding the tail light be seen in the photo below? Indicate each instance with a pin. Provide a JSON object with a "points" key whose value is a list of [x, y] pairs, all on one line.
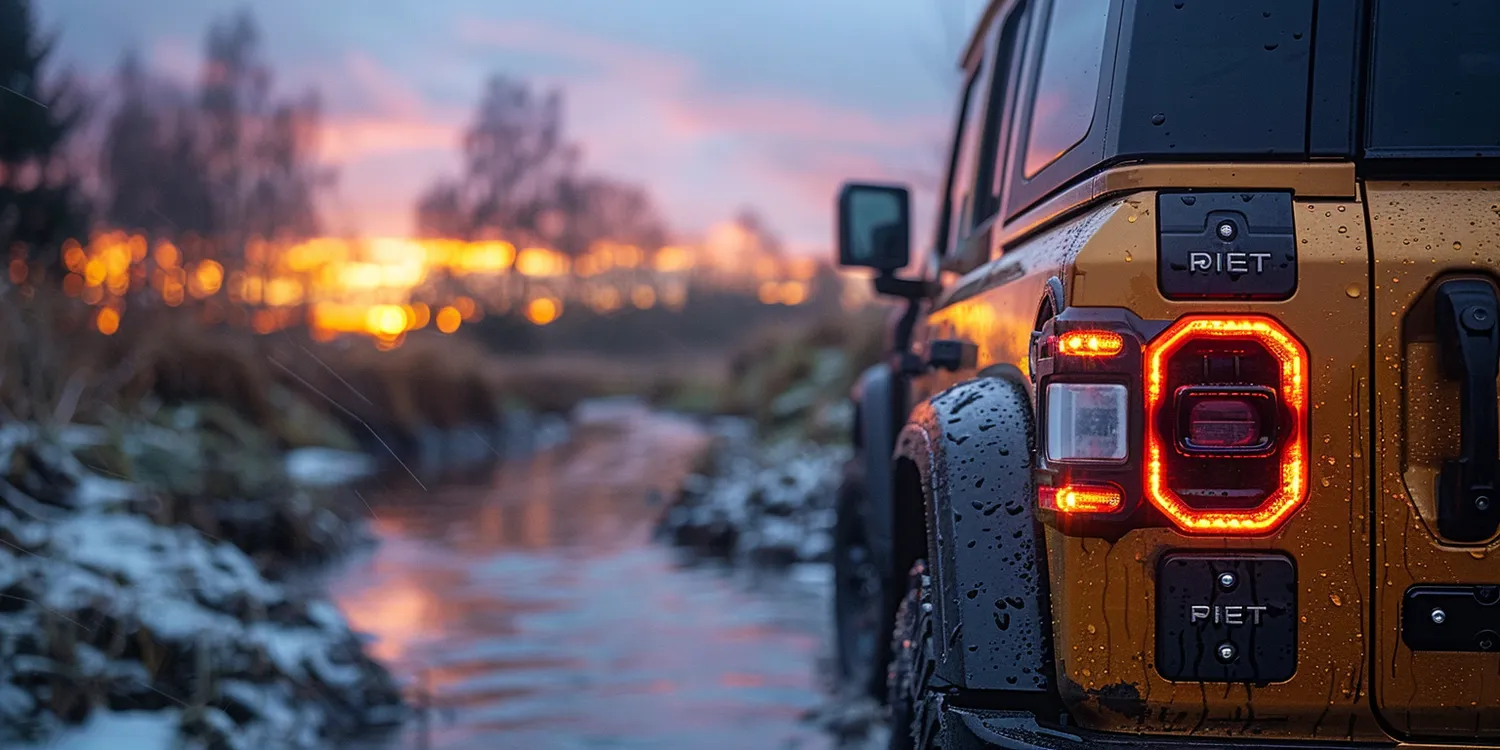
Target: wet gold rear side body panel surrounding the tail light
{"points": [[1103, 620]]}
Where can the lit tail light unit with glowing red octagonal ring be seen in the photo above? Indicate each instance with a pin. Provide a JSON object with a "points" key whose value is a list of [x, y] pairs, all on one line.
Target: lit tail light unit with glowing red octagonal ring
{"points": [[1199, 424]]}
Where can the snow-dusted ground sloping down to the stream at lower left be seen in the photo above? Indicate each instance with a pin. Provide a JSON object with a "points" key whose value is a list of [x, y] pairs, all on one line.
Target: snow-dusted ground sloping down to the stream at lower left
{"points": [[121, 632]]}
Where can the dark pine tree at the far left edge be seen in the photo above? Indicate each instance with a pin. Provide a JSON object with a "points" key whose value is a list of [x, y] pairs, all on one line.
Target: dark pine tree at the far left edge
{"points": [[40, 196]]}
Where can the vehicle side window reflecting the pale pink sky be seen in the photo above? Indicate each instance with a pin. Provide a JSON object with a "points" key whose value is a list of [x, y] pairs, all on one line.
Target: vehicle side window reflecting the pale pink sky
{"points": [[1069, 83]]}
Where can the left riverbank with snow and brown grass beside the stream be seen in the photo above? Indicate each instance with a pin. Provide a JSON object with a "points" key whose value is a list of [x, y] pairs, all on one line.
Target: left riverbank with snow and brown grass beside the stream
{"points": [[148, 598]]}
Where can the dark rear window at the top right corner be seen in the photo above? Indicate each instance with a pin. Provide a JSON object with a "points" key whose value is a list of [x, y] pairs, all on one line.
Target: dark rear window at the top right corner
{"points": [[1436, 80]]}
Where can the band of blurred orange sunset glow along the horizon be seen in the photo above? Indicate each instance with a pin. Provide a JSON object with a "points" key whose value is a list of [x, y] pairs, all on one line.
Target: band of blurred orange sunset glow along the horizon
{"points": [[362, 286]]}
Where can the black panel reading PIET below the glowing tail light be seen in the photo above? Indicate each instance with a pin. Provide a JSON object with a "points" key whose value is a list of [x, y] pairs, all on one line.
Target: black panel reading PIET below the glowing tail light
{"points": [[1226, 619]]}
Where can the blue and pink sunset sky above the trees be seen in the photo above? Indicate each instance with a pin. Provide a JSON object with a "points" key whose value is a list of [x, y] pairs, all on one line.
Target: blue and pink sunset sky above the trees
{"points": [[713, 104]]}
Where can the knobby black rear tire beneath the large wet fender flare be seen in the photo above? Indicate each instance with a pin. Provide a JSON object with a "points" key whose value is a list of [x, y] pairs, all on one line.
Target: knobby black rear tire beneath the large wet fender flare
{"points": [[913, 698]]}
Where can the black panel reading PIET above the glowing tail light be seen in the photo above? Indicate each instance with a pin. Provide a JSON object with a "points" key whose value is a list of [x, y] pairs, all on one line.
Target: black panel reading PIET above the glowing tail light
{"points": [[1226, 247]]}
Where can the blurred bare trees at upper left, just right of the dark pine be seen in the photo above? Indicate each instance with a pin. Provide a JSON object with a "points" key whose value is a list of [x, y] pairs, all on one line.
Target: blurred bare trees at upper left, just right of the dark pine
{"points": [[229, 161]]}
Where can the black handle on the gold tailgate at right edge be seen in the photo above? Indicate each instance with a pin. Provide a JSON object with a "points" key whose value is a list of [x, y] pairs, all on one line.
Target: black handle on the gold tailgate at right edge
{"points": [[1469, 334]]}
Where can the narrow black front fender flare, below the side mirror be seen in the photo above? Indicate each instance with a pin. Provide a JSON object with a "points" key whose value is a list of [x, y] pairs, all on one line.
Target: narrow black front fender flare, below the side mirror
{"points": [[880, 397]]}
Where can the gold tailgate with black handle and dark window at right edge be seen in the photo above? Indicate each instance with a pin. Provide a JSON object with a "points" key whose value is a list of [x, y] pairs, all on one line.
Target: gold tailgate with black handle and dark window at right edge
{"points": [[1433, 196]]}
